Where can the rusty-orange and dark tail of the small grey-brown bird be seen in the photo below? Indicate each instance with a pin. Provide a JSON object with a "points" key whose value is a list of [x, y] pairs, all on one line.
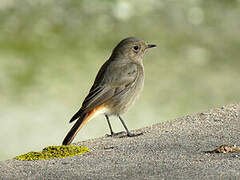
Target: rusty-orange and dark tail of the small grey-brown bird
{"points": [[82, 120]]}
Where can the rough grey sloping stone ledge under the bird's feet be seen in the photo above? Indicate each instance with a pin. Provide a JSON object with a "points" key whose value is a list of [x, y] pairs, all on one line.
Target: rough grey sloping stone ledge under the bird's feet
{"points": [[171, 150]]}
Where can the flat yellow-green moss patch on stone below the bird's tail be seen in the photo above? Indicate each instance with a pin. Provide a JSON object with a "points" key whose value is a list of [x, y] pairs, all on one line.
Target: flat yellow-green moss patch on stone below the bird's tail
{"points": [[52, 152]]}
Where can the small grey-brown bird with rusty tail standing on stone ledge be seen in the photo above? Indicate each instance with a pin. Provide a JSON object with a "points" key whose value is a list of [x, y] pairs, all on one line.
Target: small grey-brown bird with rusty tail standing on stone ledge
{"points": [[116, 87]]}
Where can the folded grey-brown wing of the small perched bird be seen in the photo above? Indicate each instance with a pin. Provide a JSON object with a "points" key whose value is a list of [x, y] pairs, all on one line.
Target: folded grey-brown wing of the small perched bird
{"points": [[110, 81]]}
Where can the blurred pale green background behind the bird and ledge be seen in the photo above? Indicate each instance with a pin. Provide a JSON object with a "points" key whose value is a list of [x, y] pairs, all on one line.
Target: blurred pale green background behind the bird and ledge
{"points": [[50, 51]]}
